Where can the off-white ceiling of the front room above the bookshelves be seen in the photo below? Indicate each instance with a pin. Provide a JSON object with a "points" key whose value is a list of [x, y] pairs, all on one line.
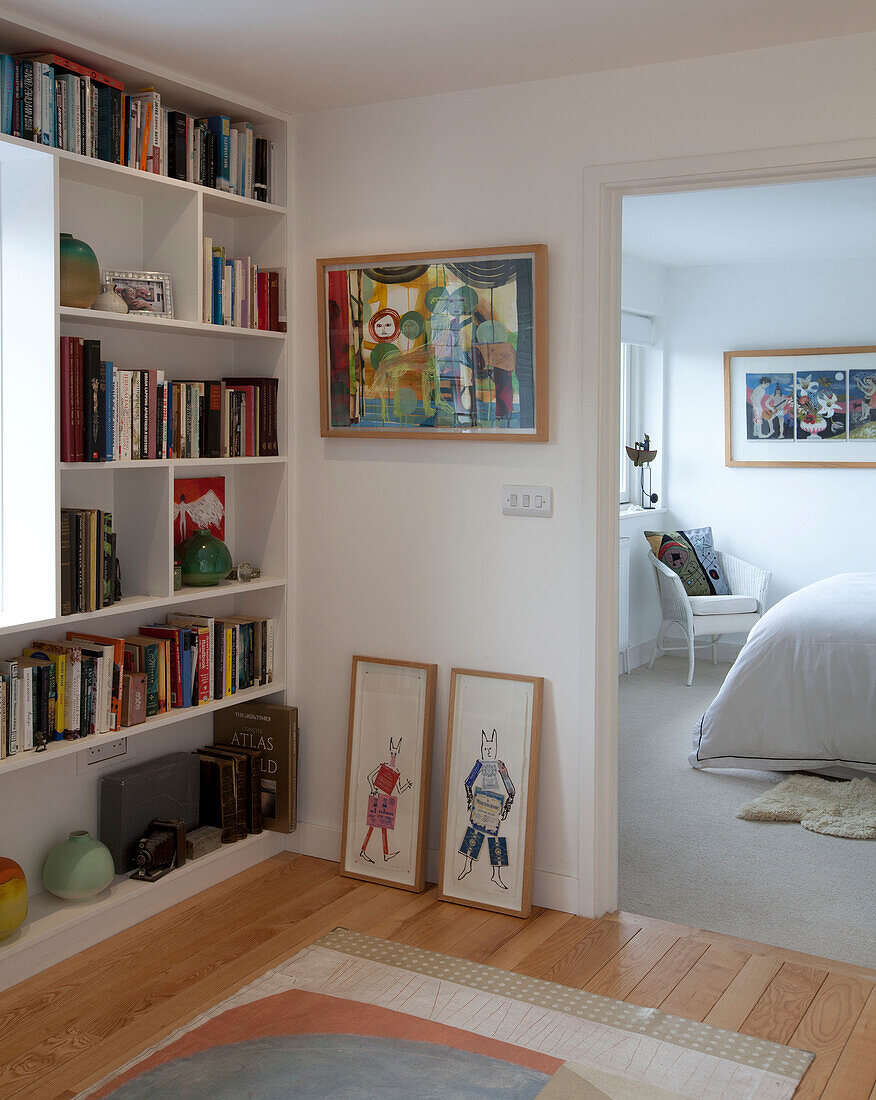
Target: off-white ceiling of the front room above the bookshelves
{"points": [[308, 56]]}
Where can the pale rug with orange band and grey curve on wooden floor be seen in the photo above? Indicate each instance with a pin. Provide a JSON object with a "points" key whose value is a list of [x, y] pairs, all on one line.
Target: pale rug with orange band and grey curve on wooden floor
{"points": [[355, 1017]]}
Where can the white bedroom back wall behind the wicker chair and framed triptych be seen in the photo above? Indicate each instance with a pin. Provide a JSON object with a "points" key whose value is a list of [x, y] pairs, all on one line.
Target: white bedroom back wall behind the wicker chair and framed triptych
{"points": [[803, 525]]}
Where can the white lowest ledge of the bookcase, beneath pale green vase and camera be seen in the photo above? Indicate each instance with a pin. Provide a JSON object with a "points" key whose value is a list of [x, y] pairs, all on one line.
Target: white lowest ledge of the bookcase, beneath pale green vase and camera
{"points": [[56, 929]]}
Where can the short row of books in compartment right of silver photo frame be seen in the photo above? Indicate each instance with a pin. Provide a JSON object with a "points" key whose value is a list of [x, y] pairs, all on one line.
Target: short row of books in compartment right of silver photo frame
{"points": [[240, 293]]}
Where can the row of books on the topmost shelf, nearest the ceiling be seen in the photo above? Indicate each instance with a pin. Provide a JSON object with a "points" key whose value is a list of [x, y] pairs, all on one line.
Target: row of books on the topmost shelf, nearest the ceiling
{"points": [[56, 102]]}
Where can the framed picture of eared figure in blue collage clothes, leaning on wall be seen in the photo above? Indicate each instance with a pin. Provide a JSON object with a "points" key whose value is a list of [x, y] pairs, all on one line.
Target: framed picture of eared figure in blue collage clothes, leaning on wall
{"points": [[491, 790]]}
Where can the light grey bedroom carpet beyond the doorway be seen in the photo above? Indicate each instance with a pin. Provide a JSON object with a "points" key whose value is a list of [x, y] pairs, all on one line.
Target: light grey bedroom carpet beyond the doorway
{"points": [[685, 857]]}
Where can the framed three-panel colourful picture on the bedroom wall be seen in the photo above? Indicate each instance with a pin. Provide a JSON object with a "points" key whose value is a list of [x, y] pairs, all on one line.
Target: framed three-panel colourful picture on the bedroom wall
{"points": [[801, 408]]}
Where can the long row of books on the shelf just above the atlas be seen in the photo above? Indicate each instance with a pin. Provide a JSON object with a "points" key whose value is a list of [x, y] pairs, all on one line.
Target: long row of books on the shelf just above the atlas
{"points": [[97, 685]]}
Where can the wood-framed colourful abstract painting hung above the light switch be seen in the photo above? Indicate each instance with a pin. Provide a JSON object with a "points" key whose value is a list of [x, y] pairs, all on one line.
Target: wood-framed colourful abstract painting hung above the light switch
{"points": [[435, 345]]}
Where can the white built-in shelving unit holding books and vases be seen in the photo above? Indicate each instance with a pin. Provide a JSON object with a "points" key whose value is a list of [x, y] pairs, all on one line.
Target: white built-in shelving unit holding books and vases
{"points": [[134, 221]]}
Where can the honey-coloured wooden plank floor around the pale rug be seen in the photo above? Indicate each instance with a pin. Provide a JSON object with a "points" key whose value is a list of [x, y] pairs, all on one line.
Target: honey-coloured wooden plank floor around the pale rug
{"points": [[69, 1027]]}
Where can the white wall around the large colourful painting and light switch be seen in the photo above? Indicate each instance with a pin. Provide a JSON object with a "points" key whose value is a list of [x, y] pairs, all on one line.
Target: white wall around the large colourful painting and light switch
{"points": [[400, 547]]}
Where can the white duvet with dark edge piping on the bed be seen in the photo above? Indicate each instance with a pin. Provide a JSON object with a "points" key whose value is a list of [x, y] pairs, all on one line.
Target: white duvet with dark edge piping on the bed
{"points": [[803, 692]]}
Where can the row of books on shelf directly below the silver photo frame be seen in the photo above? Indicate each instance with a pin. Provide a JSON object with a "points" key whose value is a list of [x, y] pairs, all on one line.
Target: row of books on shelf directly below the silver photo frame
{"points": [[115, 415]]}
